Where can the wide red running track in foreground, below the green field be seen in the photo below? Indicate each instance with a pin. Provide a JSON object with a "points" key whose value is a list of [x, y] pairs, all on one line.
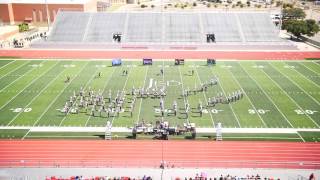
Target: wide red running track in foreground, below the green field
{"points": [[137, 153]]}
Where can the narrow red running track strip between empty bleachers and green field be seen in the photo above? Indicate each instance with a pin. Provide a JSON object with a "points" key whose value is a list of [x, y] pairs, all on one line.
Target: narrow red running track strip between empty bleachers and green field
{"points": [[187, 54]]}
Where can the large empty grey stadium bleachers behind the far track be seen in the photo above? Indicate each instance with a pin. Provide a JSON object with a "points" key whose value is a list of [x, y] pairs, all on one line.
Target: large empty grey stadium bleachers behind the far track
{"points": [[156, 28]]}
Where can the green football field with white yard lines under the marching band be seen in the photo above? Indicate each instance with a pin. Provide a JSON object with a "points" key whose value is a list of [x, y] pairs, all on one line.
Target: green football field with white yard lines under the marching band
{"points": [[276, 94]]}
